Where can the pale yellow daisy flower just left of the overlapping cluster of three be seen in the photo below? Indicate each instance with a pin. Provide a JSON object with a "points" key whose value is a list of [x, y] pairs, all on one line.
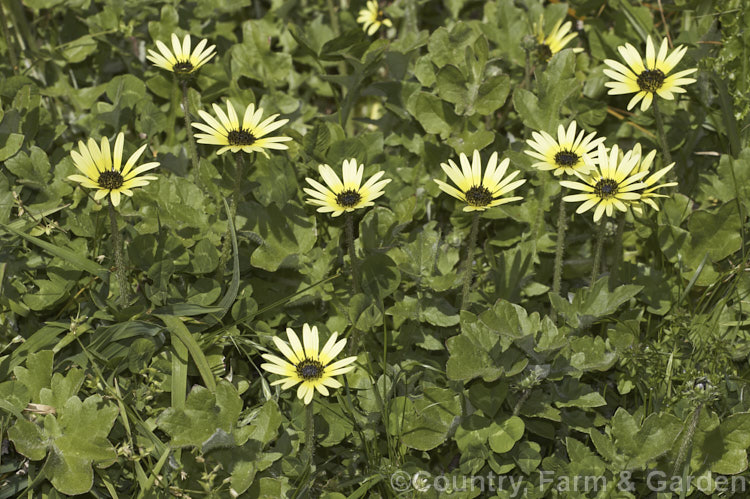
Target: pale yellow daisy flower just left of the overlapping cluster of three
{"points": [[480, 193]]}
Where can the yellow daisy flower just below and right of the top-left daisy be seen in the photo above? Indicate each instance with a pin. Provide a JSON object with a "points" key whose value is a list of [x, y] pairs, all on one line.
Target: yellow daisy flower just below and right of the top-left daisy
{"points": [[248, 137]]}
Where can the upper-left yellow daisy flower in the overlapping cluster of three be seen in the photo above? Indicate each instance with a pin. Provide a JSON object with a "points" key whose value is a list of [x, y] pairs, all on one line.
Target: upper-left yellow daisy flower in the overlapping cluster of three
{"points": [[567, 154]]}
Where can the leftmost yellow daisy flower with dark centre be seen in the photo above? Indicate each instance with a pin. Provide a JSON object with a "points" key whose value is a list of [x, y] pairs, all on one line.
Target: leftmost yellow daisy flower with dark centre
{"points": [[102, 169]]}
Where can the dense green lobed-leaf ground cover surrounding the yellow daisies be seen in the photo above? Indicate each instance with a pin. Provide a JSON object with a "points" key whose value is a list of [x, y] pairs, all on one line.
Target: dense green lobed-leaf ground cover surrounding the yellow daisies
{"points": [[642, 369]]}
